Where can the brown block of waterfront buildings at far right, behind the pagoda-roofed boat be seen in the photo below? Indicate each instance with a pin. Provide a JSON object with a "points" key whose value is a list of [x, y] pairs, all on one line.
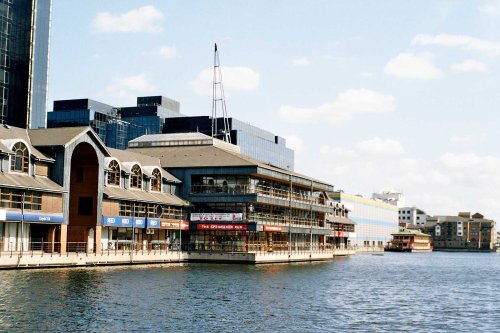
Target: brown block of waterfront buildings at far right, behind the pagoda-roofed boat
{"points": [[464, 231]]}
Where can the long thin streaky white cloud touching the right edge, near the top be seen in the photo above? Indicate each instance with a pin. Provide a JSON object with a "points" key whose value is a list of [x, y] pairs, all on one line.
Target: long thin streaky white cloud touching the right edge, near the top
{"points": [[463, 42]]}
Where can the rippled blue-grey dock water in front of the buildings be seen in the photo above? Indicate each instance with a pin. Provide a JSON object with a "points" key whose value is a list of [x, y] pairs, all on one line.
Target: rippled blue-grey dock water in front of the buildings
{"points": [[432, 292]]}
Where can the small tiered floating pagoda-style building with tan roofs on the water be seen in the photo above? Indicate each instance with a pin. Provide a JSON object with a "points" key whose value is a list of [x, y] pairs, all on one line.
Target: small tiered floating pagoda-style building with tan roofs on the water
{"points": [[408, 240]]}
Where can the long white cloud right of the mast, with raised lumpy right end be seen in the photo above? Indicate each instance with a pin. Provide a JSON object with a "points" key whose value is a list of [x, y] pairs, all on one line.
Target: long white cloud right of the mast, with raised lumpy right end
{"points": [[341, 110]]}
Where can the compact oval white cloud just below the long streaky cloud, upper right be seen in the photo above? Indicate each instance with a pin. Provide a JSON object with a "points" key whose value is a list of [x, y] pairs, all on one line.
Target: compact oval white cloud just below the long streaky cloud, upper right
{"points": [[413, 66]]}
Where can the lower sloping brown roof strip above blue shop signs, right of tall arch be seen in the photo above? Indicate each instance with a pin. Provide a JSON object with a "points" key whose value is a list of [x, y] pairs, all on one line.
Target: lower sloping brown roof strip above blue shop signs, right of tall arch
{"points": [[142, 196]]}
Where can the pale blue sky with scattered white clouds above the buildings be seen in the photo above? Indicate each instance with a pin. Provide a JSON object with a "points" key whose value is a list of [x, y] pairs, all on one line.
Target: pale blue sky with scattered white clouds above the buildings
{"points": [[372, 95]]}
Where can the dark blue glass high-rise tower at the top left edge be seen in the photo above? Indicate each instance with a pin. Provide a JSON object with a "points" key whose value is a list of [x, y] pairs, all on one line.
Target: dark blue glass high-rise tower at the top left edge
{"points": [[24, 57]]}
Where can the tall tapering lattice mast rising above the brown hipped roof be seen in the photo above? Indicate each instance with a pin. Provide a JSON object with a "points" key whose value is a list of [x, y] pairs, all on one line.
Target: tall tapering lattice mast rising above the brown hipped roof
{"points": [[218, 98]]}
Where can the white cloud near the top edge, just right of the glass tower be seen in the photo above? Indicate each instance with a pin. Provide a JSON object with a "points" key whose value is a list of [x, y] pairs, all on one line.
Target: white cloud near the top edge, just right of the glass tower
{"points": [[143, 19]]}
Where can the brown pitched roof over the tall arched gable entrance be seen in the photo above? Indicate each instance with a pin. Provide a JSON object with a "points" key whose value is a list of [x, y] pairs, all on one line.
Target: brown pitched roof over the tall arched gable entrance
{"points": [[63, 136]]}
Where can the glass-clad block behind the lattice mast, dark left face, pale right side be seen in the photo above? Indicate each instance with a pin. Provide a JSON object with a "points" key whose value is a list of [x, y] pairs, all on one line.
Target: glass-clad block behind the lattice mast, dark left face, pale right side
{"points": [[252, 140]]}
